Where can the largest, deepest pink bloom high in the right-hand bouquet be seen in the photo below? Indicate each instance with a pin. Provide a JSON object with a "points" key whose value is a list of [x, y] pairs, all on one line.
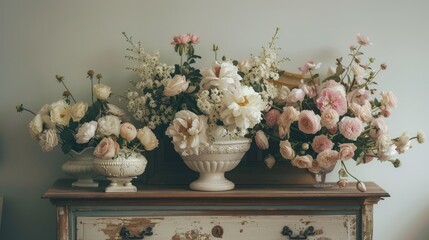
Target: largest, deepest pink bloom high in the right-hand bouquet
{"points": [[330, 98]]}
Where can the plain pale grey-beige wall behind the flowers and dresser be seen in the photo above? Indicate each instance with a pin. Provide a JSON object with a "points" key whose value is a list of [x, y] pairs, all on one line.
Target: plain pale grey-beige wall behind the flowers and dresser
{"points": [[39, 39]]}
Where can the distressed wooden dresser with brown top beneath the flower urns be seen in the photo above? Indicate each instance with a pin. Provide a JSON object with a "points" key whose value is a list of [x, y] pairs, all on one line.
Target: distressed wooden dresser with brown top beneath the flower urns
{"points": [[164, 212]]}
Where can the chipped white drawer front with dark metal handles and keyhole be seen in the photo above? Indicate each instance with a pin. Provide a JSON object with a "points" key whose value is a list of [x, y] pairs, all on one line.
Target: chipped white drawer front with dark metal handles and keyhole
{"points": [[257, 227]]}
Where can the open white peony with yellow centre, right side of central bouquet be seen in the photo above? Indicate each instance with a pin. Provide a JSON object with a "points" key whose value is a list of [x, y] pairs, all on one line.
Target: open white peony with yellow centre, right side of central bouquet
{"points": [[242, 108]]}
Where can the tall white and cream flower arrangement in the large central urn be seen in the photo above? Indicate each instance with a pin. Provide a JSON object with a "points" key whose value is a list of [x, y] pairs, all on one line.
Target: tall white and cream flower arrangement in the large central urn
{"points": [[194, 106]]}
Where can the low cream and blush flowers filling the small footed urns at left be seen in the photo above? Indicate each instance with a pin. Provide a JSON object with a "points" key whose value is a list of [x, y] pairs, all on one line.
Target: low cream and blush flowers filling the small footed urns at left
{"points": [[76, 125]]}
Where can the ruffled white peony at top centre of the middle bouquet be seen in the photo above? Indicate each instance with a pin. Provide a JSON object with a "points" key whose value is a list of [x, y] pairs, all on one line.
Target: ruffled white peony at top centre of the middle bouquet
{"points": [[223, 76]]}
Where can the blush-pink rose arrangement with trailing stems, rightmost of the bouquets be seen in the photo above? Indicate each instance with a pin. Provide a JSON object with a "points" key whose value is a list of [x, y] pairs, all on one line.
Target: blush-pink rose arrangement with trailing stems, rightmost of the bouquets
{"points": [[323, 122]]}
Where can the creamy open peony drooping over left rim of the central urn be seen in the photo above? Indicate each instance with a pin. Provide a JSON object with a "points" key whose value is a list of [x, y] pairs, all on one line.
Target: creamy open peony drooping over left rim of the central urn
{"points": [[188, 132]]}
